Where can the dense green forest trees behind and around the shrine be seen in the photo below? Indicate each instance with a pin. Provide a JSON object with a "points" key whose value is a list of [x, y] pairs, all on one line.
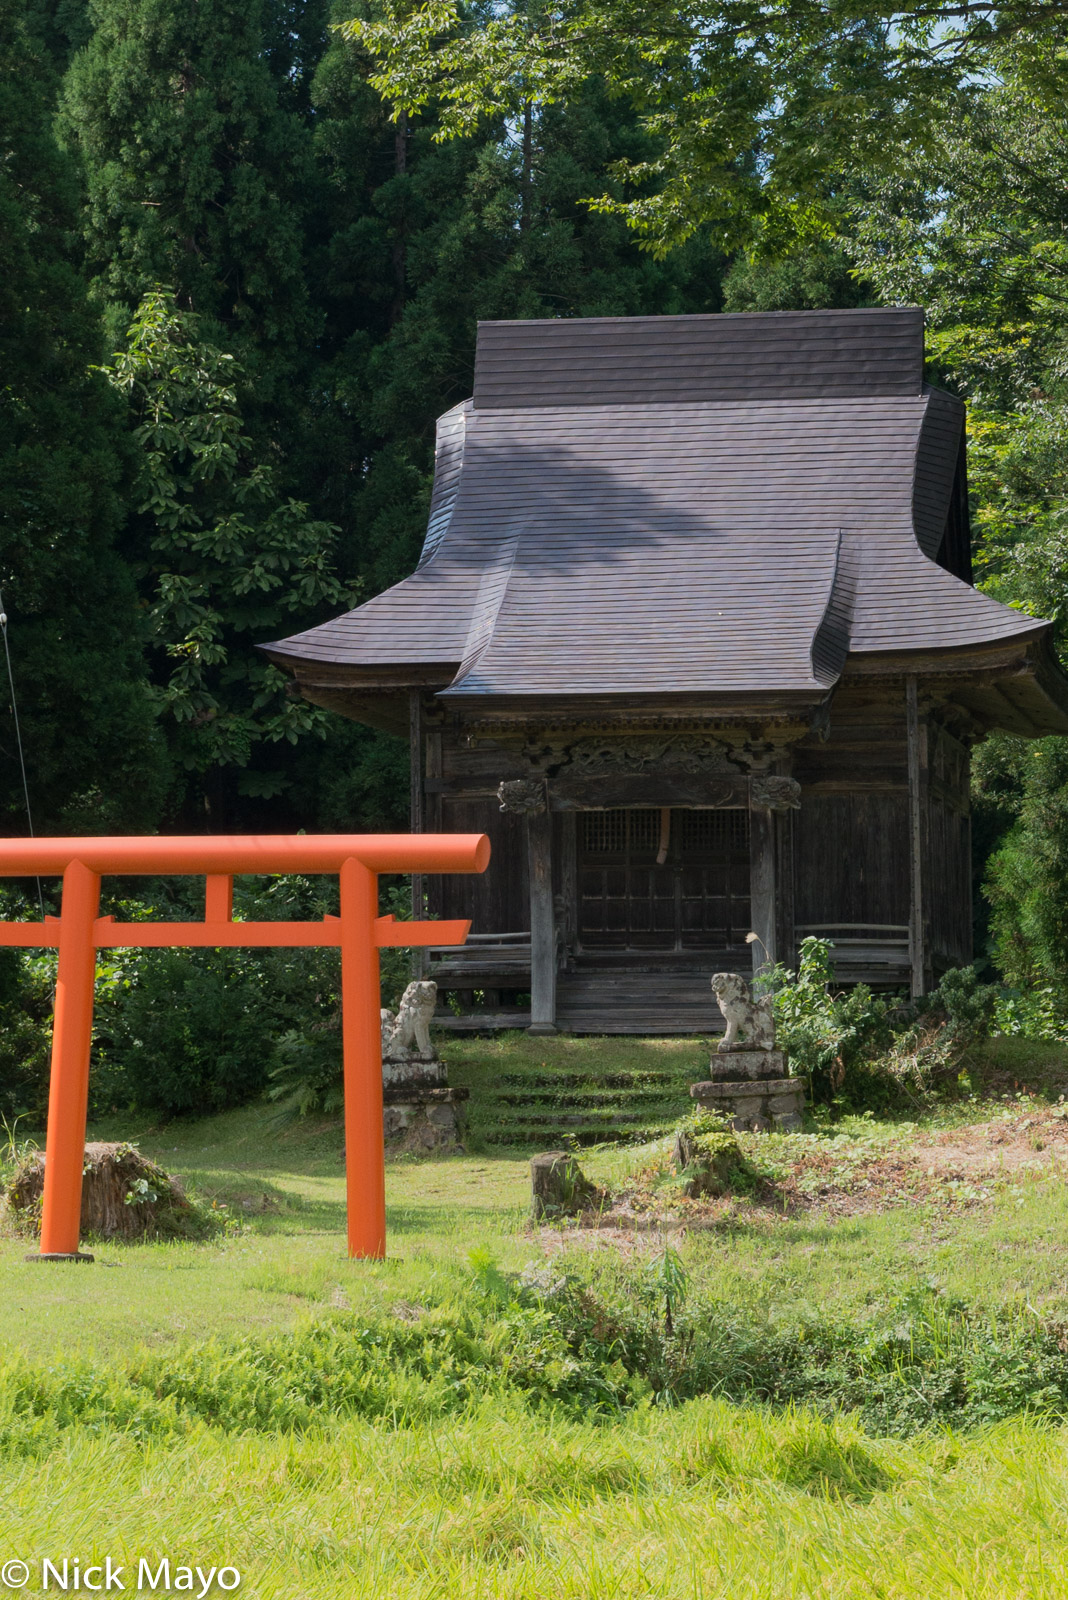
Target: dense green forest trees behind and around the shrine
{"points": [[244, 249]]}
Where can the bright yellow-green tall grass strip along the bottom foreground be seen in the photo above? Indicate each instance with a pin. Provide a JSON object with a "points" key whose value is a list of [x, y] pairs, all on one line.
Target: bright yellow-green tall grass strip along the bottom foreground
{"points": [[709, 1502]]}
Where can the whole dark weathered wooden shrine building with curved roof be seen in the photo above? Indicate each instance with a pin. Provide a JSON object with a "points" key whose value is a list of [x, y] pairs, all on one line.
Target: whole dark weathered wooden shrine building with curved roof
{"points": [[695, 641]]}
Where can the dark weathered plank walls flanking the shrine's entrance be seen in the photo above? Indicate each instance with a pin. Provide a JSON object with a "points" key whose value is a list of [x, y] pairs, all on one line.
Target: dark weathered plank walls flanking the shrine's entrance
{"points": [[843, 858]]}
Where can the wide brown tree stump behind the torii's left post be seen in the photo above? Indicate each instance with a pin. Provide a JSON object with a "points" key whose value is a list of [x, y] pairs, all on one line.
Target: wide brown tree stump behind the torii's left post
{"points": [[124, 1196]]}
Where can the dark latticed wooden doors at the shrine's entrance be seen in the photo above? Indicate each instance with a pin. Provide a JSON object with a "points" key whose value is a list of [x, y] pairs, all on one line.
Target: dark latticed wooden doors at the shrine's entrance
{"points": [[666, 881]]}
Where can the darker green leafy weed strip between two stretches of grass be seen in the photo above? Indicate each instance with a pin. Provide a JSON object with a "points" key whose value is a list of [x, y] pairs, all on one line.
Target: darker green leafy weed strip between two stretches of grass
{"points": [[568, 1345]]}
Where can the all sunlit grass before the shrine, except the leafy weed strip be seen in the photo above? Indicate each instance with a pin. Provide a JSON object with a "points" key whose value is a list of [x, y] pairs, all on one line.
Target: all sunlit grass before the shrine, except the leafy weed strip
{"points": [[501, 1498]]}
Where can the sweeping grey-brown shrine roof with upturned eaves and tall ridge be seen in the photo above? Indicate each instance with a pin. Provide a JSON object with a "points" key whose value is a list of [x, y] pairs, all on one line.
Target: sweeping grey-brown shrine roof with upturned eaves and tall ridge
{"points": [[723, 505]]}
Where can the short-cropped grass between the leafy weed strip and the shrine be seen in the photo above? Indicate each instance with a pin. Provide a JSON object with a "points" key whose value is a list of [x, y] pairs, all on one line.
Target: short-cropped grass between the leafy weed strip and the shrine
{"points": [[292, 1257]]}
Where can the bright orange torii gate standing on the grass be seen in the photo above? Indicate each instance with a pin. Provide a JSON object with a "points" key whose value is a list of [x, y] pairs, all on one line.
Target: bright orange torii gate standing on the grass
{"points": [[79, 932]]}
